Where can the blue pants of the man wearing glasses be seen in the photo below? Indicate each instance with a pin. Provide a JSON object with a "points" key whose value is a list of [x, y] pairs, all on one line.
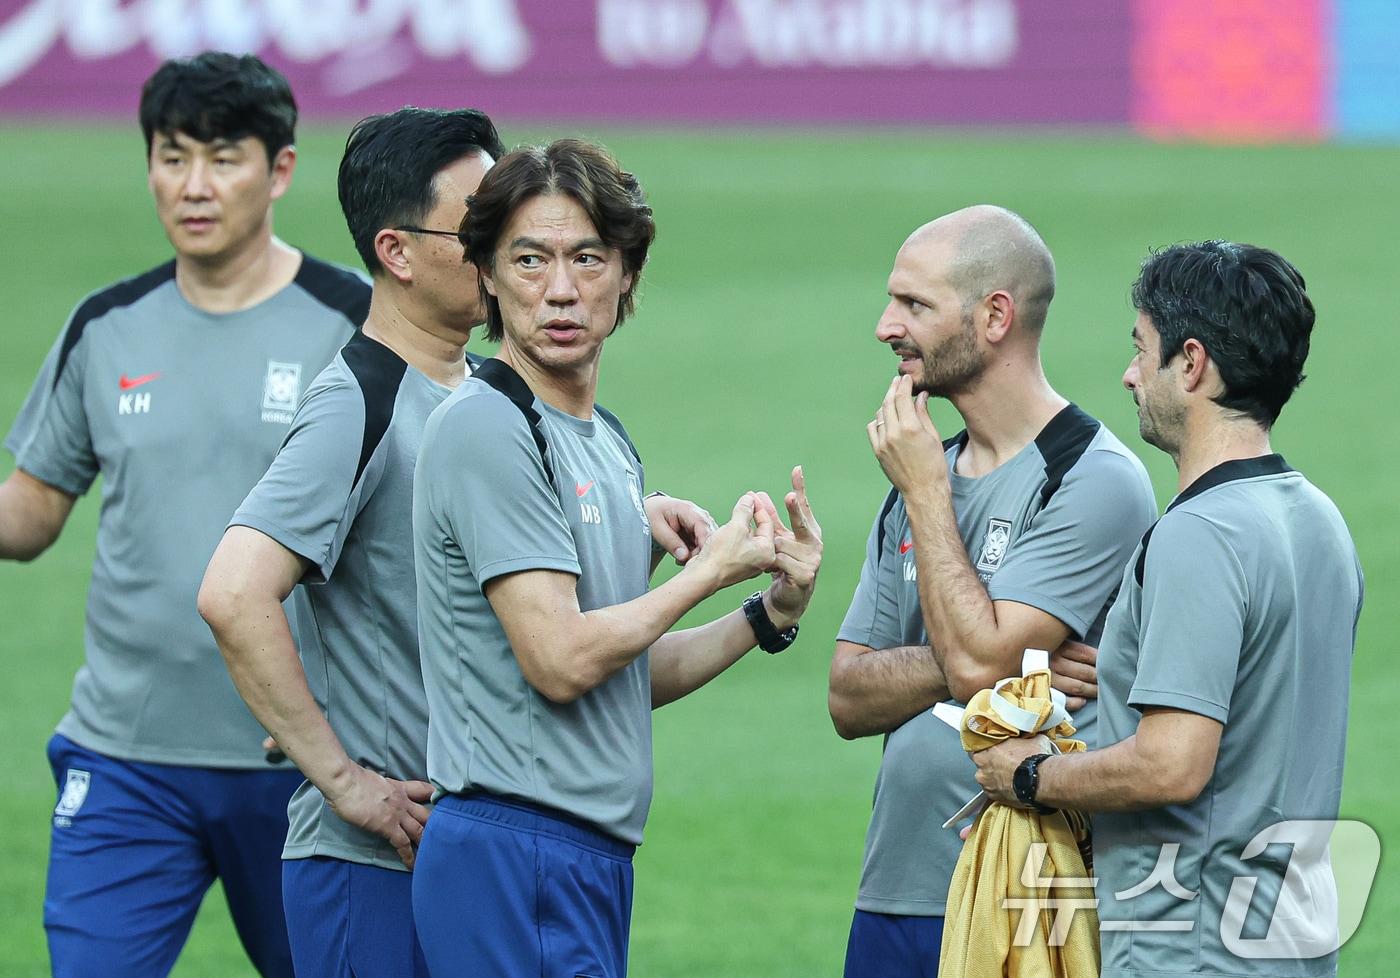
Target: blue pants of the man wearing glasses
{"points": [[351, 921]]}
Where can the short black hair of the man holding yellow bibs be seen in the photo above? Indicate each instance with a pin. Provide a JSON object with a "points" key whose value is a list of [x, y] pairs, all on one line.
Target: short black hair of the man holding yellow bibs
{"points": [[1245, 304]]}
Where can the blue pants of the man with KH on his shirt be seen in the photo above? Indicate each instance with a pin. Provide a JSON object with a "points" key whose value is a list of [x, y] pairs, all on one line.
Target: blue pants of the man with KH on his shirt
{"points": [[136, 846]]}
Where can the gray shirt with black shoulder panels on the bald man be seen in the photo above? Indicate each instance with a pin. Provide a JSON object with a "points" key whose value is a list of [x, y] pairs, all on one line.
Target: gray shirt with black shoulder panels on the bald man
{"points": [[1051, 528]]}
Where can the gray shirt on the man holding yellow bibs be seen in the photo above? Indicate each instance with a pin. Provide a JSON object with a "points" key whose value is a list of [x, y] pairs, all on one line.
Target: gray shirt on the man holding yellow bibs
{"points": [[1241, 605]]}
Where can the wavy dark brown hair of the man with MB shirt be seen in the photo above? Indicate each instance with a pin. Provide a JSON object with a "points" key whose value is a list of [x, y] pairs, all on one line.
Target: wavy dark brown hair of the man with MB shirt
{"points": [[587, 173]]}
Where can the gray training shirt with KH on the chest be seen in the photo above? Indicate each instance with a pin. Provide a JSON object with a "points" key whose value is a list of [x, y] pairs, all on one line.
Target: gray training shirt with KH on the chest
{"points": [[180, 411]]}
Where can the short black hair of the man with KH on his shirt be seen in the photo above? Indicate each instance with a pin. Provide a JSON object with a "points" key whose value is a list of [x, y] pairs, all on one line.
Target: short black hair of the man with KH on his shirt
{"points": [[220, 97]]}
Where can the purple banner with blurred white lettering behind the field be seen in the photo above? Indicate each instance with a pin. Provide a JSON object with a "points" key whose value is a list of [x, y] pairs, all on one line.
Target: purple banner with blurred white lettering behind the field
{"points": [[653, 61]]}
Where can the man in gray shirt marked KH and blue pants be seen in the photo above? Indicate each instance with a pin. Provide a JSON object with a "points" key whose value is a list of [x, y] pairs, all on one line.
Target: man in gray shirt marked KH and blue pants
{"points": [[177, 388]]}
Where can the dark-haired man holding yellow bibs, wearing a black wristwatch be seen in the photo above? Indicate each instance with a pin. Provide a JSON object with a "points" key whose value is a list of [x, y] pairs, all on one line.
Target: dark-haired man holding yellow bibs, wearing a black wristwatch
{"points": [[1226, 661]]}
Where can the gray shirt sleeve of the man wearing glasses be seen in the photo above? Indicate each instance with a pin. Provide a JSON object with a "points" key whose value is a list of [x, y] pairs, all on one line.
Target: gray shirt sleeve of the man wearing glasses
{"points": [[316, 488]]}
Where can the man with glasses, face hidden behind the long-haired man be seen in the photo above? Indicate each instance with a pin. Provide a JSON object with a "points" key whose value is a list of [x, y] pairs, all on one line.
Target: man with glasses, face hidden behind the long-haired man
{"points": [[335, 513]]}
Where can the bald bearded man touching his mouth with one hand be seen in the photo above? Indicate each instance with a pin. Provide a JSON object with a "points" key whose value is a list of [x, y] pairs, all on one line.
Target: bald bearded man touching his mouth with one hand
{"points": [[1007, 537]]}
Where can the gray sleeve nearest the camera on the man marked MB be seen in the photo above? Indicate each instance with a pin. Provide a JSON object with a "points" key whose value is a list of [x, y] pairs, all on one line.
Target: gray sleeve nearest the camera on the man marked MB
{"points": [[493, 495]]}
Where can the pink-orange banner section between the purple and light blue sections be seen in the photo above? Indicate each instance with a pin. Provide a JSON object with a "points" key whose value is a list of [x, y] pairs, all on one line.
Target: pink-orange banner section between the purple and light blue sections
{"points": [[1244, 71]]}
